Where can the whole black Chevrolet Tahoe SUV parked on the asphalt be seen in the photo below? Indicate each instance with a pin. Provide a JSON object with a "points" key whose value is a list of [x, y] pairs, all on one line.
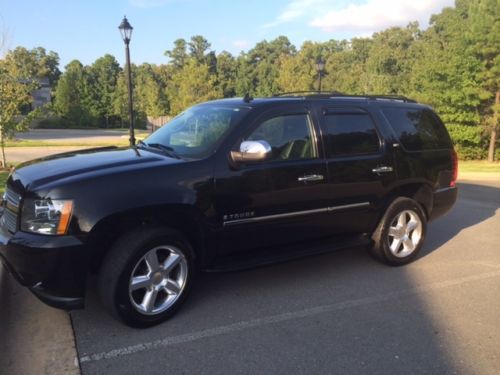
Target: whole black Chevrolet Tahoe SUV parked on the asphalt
{"points": [[227, 184]]}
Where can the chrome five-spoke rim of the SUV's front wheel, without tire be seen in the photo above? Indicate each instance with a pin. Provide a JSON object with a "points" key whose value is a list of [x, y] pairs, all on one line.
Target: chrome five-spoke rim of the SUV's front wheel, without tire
{"points": [[158, 280]]}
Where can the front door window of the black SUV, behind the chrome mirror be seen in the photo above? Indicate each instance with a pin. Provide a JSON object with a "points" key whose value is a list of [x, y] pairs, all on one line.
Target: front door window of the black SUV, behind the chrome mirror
{"points": [[289, 136]]}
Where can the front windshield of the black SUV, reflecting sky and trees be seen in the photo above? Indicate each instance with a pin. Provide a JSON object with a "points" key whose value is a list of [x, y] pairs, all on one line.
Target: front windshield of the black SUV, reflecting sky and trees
{"points": [[196, 132]]}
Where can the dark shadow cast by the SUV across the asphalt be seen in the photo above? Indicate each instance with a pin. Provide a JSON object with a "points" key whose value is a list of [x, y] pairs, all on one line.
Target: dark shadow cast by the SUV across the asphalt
{"points": [[340, 312]]}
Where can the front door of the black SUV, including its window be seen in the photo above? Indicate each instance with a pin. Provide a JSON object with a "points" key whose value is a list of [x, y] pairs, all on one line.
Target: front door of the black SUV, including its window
{"points": [[280, 200]]}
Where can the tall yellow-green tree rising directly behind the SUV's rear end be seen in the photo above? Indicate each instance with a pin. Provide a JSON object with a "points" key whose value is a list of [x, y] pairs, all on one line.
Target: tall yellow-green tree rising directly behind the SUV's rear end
{"points": [[445, 75]]}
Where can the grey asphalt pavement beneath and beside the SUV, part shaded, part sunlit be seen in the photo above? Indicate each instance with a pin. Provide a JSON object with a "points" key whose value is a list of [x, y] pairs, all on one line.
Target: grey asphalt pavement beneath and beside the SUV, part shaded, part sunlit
{"points": [[337, 313]]}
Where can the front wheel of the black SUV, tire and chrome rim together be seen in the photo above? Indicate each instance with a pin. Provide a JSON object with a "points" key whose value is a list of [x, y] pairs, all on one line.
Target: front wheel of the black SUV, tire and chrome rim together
{"points": [[146, 276]]}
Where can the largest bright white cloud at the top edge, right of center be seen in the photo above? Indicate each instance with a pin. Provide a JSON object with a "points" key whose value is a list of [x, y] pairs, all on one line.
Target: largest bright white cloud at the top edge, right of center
{"points": [[375, 15]]}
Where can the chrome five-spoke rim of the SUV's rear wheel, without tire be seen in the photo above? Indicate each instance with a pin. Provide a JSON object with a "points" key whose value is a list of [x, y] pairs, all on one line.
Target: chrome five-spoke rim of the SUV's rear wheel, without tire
{"points": [[405, 233]]}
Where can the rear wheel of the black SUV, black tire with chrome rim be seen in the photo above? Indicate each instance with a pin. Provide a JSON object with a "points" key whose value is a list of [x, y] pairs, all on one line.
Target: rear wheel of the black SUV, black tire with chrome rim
{"points": [[383, 238]]}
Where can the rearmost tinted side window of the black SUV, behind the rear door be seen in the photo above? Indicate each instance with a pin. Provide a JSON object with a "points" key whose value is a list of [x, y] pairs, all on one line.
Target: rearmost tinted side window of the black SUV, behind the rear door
{"points": [[418, 129]]}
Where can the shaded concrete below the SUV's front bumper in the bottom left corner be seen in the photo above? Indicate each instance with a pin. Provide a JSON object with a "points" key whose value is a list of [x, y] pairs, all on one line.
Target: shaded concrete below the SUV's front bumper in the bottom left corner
{"points": [[34, 338]]}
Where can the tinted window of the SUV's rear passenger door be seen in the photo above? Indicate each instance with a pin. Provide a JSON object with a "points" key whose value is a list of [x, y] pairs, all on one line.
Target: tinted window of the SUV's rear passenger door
{"points": [[350, 133]]}
